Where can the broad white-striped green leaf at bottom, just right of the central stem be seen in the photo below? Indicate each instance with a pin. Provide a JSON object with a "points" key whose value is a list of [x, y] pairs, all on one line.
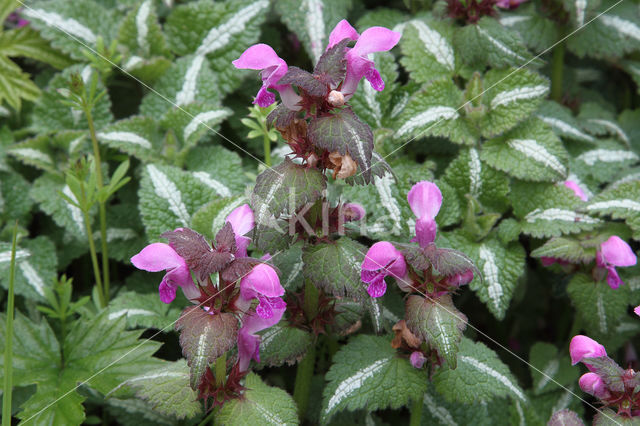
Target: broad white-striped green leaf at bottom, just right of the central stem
{"points": [[367, 373]]}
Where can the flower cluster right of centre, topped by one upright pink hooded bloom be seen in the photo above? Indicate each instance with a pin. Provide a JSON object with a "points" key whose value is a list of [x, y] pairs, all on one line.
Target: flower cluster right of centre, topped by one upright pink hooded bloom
{"points": [[416, 271]]}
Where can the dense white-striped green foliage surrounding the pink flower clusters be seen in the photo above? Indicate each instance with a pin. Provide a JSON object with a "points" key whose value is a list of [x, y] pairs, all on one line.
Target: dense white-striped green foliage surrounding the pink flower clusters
{"points": [[498, 106]]}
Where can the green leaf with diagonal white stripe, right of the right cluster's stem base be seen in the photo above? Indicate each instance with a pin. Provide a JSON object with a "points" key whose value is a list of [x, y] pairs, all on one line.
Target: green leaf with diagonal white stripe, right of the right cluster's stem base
{"points": [[480, 376]]}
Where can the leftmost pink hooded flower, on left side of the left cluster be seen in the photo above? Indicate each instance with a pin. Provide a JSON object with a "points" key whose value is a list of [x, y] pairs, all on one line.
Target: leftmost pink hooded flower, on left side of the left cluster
{"points": [[159, 257]]}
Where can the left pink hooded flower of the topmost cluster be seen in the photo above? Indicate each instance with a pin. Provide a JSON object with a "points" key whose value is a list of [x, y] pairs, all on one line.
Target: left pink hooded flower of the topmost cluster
{"points": [[262, 57]]}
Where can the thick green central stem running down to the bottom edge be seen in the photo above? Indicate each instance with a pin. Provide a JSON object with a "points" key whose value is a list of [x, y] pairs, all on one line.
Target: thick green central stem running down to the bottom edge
{"points": [[304, 373]]}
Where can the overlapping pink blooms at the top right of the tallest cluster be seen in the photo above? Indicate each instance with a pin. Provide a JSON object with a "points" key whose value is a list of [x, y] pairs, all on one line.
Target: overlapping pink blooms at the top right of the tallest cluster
{"points": [[374, 39]]}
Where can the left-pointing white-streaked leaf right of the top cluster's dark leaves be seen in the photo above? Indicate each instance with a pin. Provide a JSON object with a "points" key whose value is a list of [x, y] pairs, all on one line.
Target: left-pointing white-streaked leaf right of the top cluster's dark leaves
{"points": [[435, 111]]}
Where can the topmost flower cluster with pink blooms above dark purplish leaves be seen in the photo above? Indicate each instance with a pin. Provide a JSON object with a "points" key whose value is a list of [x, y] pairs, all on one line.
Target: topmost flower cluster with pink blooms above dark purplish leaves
{"points": [[309, 100]]}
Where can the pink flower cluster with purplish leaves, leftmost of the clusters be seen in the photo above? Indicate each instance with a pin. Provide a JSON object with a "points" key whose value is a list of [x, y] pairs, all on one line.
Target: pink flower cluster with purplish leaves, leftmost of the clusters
{"points": [[242, 281]]}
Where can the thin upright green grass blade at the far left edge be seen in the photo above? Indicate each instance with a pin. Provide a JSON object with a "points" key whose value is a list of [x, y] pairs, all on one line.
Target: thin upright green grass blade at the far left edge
{"points": [[8, 340]]}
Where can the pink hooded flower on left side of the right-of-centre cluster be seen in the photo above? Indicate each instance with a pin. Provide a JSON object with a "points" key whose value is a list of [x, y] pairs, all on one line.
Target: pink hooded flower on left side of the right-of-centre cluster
{"points": [[381, 260]]}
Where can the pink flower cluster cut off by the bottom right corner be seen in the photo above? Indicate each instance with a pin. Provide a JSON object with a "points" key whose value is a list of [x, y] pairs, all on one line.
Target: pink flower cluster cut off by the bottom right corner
{"points": [[607, 381]]}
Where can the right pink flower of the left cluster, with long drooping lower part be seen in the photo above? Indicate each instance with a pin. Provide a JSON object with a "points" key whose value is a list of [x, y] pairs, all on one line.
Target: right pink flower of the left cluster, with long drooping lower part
{"points": [[261, 283]]}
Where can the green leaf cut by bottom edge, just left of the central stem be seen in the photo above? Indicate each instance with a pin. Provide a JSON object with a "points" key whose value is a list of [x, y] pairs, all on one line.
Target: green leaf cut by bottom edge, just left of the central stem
{"points": [[261, 404]]}
